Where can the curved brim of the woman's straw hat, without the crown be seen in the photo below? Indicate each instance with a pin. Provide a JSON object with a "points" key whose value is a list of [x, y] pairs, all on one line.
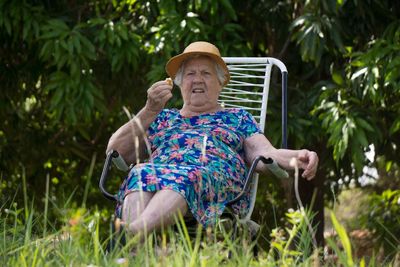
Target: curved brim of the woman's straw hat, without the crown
{"points": [[175, 62]]}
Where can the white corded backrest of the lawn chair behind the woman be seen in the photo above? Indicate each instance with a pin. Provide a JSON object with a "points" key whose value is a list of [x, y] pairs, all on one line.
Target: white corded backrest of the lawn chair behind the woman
{"points": [[248, 88]]}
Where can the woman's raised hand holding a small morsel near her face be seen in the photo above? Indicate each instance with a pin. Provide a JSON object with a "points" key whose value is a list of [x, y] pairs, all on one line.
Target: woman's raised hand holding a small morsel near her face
{"points": [[158, 95]]}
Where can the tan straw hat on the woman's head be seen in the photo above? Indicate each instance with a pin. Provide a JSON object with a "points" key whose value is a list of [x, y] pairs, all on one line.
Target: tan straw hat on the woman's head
{"points": [[197, 48]]}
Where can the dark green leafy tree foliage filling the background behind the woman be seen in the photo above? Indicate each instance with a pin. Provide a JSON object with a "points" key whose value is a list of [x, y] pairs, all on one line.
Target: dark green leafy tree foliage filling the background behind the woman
{"points": [[68, 67]]}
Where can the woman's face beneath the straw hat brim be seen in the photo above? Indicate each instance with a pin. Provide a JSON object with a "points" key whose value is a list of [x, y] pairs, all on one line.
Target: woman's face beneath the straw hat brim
{"points": [[200, 85]]}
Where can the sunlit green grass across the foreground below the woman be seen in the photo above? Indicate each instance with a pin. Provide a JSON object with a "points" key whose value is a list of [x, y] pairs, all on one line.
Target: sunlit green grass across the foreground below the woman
{"points": [[71, 235]]}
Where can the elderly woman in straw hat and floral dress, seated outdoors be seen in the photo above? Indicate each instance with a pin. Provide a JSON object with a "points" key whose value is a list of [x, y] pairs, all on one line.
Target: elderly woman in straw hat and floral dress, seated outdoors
{"points": [[199, 154]]}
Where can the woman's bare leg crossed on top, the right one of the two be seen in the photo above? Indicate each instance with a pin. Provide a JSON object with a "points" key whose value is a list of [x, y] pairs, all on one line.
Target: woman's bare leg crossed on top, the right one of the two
{"points": [[161, 210]]}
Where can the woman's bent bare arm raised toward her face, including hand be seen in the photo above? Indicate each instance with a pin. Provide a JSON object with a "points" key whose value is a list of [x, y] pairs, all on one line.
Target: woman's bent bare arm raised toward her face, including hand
{"points": [[123, 140]]}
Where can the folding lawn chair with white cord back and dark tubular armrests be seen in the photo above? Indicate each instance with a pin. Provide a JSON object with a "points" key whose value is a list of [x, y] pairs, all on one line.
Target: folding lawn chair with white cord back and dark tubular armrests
{"points": [[248, 89]]}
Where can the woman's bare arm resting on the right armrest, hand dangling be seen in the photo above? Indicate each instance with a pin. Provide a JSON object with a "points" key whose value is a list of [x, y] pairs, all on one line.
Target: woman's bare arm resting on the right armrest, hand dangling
{"points": [[258, 144]]}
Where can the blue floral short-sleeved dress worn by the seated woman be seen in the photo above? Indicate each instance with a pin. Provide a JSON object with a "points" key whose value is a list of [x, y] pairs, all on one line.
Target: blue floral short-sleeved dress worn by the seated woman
{"points": [[200, 157]]}
